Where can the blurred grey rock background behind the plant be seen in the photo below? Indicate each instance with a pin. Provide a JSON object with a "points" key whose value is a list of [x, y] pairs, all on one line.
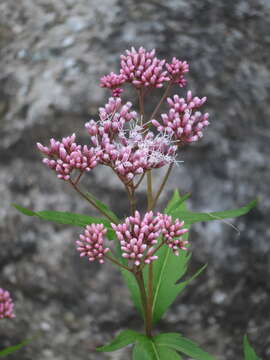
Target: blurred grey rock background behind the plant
{"points": [[52, 56]]}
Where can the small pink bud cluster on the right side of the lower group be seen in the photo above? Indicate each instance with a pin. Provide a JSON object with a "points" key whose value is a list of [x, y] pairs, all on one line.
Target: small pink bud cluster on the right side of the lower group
{"points": [[171, 232]]}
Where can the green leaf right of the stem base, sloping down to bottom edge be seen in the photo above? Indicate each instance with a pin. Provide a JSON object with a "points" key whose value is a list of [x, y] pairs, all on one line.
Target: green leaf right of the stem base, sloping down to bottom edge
{"points": [[183, 345]]}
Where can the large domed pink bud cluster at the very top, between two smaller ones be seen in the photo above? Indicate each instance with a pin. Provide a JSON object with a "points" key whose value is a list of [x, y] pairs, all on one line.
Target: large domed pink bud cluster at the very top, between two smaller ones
{"points": [[142, 68]]}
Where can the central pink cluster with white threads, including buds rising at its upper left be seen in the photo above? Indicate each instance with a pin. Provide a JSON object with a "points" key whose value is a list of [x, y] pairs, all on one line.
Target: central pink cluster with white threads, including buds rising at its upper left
{"points": [[129, 152]]}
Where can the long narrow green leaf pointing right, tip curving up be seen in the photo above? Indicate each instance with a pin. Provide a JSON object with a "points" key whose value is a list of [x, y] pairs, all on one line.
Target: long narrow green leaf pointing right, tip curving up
{"points": [[190, 217]]}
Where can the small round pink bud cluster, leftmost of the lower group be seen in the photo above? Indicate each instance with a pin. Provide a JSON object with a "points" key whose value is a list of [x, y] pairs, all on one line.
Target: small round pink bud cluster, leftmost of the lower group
{"points": [[91, 243]]}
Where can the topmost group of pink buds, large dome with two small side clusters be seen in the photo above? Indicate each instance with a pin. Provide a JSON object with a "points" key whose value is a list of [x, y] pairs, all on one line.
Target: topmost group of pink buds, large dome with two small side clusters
{"points": [[143, 69]]}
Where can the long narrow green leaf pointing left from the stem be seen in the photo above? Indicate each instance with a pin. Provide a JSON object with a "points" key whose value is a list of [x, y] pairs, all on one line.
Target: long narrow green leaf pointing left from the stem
{"points": [[68, 218]]}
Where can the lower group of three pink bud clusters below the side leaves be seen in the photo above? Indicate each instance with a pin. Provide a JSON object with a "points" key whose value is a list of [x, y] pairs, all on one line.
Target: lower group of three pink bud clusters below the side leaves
{"points": [[138, 236]]}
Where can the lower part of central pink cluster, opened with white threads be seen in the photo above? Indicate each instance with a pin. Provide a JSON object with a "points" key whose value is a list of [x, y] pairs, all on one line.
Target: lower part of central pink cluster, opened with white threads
{"points": [[133, 152]]}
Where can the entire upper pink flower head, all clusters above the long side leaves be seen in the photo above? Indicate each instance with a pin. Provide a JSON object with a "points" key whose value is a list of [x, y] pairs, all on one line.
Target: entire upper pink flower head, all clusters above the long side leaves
{"points": [[122, 140]]}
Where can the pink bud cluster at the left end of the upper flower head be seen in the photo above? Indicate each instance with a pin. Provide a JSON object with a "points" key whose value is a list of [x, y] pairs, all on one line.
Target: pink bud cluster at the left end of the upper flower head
{"points": [[65, 156]]}
